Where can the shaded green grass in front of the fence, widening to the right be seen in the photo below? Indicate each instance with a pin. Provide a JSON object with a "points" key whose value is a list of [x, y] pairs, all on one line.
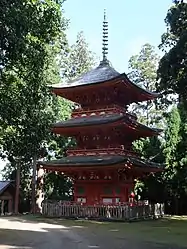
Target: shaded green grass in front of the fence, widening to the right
{"points": [[169, 230]]}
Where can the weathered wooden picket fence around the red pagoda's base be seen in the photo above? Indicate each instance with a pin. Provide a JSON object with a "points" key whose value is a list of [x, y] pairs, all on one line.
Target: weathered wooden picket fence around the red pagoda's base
{"points": [[126, 212]]}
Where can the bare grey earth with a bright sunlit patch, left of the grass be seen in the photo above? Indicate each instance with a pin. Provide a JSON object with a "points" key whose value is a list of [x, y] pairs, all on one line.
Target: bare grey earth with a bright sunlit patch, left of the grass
{"points": [[23, 233]]}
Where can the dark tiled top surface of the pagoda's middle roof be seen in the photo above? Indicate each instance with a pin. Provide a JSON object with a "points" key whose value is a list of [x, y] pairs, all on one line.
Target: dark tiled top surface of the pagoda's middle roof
{"points": [[103, 119]]}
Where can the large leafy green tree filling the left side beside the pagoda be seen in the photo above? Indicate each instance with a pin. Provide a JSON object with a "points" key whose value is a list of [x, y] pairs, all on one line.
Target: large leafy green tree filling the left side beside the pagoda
{"points": [[27, 108]]}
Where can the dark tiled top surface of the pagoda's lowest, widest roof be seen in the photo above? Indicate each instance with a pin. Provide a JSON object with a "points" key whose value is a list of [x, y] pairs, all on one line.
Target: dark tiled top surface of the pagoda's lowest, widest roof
{"points": [[107, 160]]}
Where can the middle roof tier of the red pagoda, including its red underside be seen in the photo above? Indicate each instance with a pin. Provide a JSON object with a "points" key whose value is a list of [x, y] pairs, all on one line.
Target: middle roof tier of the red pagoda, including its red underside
{"points": [[117, 120]]}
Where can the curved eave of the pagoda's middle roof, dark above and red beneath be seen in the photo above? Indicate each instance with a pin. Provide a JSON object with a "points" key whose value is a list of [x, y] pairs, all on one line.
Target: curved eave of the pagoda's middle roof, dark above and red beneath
{"points": [[70, 126]]}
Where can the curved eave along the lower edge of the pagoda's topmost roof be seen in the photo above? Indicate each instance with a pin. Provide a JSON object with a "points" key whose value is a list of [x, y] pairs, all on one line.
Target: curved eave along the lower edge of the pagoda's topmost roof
{"points": [[121, 78]]}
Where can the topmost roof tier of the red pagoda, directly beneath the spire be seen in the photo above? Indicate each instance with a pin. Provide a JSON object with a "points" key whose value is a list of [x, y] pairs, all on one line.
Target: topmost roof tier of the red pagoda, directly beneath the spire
{"points": [[122, 91]]}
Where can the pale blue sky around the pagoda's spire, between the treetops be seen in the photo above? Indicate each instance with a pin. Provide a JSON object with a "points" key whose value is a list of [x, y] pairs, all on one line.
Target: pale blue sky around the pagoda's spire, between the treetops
{"points": [[131, 25]]}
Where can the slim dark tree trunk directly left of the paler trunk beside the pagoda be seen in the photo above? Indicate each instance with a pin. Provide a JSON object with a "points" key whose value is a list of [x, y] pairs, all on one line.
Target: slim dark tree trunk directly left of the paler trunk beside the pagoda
{"points": [[33, 195]]}
